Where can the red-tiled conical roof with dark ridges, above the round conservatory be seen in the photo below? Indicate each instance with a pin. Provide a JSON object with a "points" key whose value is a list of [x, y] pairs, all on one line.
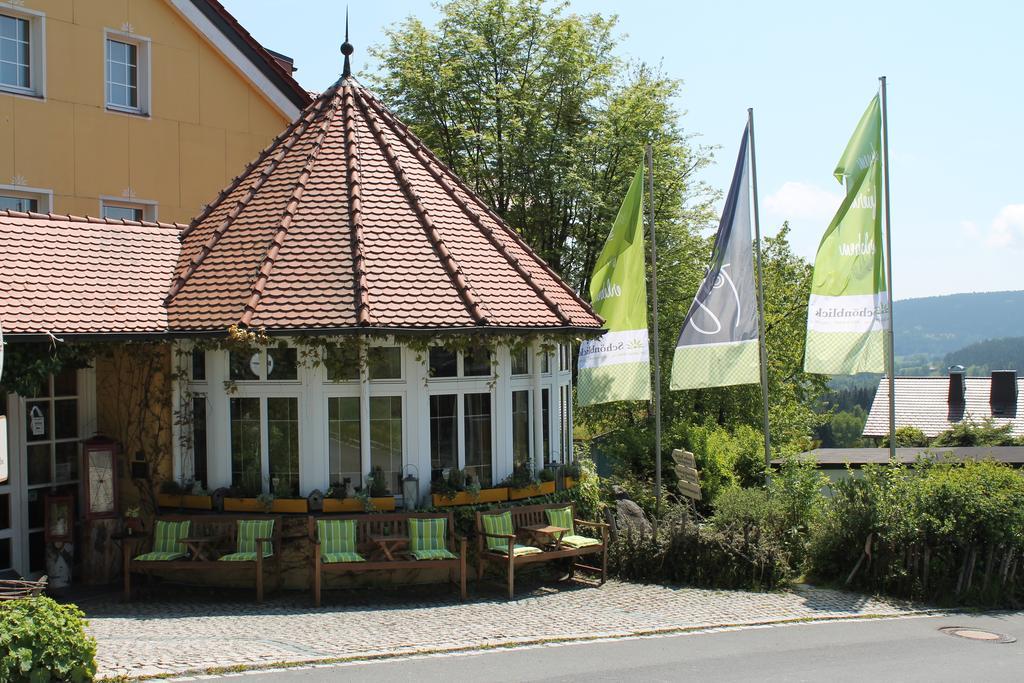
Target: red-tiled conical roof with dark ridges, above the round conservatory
{"points": [[348, 221]]}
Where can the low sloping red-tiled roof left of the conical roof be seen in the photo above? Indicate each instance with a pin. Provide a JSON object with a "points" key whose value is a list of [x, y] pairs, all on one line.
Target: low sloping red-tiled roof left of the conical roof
{"points": [[68, 275]]}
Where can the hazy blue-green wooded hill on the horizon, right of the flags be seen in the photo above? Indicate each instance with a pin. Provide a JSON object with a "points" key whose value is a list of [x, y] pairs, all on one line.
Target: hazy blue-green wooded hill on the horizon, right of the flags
{"points": [[937, 326]]}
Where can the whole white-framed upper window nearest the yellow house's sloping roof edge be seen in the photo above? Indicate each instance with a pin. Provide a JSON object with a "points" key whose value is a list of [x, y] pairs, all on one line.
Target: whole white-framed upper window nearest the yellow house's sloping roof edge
{"points": [[126, 73]]}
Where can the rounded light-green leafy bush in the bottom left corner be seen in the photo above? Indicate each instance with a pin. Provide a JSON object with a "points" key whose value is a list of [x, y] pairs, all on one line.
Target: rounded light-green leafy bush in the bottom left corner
{"points": [[41, 641]]}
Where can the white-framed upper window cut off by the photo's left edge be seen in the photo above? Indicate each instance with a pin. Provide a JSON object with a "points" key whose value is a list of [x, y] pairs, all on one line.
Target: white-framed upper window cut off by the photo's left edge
{"points": [[23, 54]]}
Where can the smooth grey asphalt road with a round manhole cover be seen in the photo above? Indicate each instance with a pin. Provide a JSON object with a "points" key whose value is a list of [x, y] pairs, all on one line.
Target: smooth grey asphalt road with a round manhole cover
{"points": [[905, 650]]}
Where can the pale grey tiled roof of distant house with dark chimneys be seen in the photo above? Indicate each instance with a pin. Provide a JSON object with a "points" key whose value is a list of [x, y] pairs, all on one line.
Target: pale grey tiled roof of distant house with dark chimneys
{"points": [[923, 403]]}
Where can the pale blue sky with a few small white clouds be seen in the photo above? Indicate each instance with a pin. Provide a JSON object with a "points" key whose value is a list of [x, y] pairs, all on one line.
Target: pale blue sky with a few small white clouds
{"points": [[808, 69]]}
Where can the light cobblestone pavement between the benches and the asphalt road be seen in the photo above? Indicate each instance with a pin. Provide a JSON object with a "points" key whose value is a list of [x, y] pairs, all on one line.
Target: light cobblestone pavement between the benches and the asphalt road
{"points": [[172, 633]]}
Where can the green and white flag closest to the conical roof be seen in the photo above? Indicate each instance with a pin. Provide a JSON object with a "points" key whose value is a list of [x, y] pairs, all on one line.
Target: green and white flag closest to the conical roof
{"points": [[616, 367]]}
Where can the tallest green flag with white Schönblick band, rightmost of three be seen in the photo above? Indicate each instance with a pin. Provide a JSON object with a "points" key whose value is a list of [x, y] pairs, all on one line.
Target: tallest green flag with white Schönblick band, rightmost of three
{"points": [[848, 313]]}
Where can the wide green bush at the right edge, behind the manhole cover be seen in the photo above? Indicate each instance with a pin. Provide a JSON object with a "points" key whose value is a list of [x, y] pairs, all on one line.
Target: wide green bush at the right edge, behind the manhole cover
{"points": [[941, 531]]}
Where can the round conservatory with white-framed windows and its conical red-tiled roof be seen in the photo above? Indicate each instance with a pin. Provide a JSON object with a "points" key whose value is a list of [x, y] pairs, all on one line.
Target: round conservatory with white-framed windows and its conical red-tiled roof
{"points": [[349, 232]]}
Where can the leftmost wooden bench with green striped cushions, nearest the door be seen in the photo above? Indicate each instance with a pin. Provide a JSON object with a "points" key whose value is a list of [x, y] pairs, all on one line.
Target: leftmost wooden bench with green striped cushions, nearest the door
{"points": [[222, 531]]}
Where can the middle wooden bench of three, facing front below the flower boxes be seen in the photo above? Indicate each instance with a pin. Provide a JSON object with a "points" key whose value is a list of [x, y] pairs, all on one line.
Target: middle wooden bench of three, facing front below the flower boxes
{"points": [[380, 539]]}
